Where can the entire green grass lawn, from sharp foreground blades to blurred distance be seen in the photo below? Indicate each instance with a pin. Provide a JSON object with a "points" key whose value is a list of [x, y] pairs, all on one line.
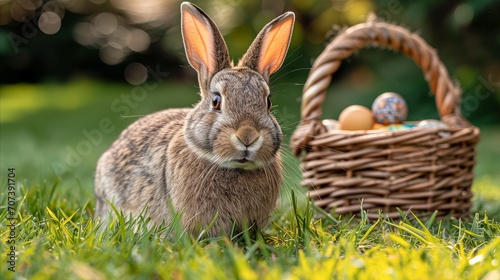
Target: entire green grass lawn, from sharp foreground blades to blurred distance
{"points": [[52, 135]]}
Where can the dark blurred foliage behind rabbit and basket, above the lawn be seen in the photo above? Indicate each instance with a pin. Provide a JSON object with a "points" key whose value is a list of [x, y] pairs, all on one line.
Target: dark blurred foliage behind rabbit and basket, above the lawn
{"points": [[117, 41]]}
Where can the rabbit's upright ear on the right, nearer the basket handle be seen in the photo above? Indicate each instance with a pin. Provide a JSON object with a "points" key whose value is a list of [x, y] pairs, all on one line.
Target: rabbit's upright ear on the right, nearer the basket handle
{"points": [[268, 50]]}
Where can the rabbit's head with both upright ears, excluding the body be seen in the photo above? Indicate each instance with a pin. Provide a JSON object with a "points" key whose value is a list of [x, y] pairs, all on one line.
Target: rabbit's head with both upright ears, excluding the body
{"points": [[232, 124]]}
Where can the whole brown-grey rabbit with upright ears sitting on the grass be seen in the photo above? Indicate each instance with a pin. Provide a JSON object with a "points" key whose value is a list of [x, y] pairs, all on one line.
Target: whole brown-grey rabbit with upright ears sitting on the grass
{"points": [[219, 163]]}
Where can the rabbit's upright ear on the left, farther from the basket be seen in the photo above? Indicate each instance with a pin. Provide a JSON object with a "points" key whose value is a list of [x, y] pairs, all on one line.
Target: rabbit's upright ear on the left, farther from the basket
{"points": [[206, 50]]}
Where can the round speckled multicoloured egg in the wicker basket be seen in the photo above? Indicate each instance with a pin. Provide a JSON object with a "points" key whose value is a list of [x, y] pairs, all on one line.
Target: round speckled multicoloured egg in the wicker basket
{"points": [[389, 108]]}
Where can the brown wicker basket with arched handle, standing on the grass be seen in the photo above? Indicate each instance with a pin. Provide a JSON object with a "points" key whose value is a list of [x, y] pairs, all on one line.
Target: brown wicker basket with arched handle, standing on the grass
{"points": [[417, 170]]}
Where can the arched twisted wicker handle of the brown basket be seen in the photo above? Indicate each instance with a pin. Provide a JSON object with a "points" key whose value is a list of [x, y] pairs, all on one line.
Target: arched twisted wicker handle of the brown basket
{"points": [[383, 35]]}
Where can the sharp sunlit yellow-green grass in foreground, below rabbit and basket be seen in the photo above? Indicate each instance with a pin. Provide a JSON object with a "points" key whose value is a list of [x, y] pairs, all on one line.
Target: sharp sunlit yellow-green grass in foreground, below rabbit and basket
{"points": [[57, 238]]}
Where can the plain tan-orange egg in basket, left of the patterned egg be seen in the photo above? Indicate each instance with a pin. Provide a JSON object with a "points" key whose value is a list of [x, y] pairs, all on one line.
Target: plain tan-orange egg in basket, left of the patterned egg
{"points": [[356, 117]]}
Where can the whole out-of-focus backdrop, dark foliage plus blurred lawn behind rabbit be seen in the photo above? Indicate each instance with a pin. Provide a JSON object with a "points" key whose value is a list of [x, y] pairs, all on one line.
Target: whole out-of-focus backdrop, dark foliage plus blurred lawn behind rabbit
{"points": [[73, 74]]}
